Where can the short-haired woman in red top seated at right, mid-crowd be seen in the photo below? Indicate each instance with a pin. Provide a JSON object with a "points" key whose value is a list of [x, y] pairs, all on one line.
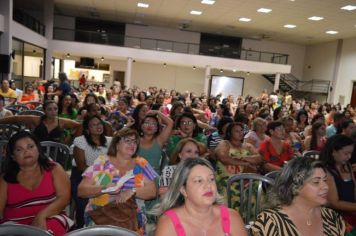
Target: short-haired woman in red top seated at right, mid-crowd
{"points": [[275, 151]]}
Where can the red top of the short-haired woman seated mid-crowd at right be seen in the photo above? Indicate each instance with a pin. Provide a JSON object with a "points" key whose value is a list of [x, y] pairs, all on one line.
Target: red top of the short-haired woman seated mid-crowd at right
{"points": [[270, 154]]}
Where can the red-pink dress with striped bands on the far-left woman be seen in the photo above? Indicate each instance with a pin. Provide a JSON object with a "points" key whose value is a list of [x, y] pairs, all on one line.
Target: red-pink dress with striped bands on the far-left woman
{"points": [[23, 205]]}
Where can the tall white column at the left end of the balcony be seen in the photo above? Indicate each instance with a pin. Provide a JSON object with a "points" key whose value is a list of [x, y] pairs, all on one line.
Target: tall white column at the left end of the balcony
{"points": [[48, 21]]}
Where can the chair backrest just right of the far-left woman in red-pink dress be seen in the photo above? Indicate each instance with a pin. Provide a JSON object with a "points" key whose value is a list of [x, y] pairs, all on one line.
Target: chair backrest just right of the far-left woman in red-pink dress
{"points": [[57, 152]]}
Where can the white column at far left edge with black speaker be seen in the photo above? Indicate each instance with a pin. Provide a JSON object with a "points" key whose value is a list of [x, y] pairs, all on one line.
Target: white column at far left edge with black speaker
{"points": [[6, 7]]}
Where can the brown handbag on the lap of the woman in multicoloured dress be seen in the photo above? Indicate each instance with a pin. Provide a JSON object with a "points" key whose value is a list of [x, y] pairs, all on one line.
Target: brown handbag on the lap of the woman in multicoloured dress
{"points": [[117, 214]]}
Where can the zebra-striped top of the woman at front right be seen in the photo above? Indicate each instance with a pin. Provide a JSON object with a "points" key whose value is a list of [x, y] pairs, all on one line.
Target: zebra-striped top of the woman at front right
{"points": [[273, 222]]}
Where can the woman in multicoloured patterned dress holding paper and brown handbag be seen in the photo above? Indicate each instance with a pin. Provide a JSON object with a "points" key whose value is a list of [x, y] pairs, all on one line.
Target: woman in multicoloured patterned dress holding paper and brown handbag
{"points": [[108, 169]]}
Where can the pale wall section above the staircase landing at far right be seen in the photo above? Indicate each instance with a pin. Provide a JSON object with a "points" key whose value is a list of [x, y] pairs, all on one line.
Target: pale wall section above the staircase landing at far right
{"points": [[320, 61]]}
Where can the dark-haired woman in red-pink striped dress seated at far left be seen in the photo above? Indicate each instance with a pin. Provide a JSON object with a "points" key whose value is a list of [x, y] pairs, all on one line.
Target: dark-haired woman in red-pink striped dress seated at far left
{"points": [[33, 190]]}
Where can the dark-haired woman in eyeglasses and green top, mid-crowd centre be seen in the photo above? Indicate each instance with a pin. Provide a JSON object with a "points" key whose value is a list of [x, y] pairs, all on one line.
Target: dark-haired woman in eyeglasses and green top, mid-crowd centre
{"points": [[186, 127]]}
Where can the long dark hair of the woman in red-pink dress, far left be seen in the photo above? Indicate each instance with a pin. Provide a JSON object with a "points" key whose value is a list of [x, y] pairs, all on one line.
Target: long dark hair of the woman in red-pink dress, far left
{"points": [[11, 167]]}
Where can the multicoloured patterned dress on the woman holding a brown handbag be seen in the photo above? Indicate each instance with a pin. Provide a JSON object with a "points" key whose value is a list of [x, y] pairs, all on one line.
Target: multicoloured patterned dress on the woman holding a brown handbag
{"points": [[104, 173]]}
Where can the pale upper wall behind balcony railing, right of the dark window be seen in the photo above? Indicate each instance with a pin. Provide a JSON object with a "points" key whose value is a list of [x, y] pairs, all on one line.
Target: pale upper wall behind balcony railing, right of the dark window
{"points": [[296, 52]]}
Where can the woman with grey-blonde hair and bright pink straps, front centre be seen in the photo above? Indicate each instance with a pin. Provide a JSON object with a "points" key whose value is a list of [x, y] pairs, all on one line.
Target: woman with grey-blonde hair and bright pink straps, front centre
{"points": [[192, 205]]}
